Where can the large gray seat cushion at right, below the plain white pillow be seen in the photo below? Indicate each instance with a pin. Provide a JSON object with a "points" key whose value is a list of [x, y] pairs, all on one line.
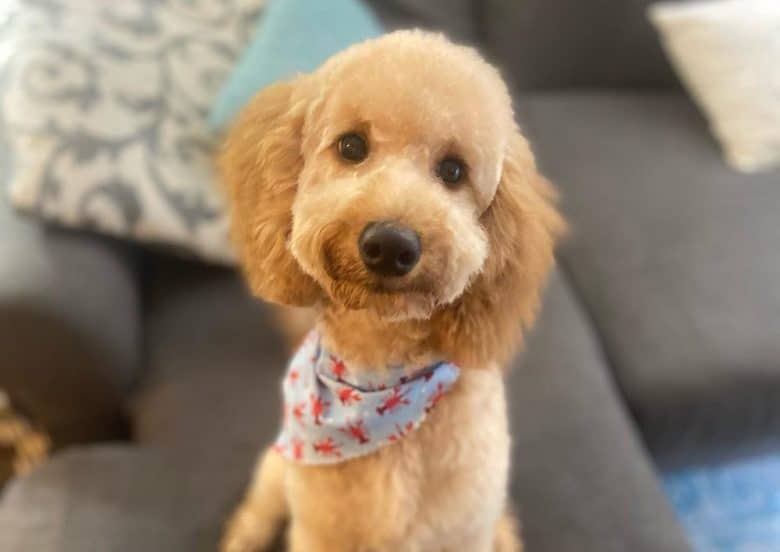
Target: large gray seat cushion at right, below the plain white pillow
{"points": [[675, 257]]}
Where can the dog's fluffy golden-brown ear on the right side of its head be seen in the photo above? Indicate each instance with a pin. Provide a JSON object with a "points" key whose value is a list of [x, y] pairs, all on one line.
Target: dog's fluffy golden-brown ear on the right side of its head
{"points": [[522, 225]]}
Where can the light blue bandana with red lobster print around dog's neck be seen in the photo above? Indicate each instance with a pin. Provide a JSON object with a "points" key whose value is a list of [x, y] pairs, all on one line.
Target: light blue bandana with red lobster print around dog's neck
{"points": [[332, 415]]}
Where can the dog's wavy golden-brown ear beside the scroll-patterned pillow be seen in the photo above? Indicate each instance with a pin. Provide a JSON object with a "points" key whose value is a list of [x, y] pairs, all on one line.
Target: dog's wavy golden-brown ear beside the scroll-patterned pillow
{"points": [[260, 164]]}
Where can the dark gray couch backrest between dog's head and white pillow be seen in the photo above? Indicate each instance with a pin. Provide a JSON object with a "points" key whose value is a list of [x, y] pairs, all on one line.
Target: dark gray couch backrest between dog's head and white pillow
{"points": [[548, 44]]}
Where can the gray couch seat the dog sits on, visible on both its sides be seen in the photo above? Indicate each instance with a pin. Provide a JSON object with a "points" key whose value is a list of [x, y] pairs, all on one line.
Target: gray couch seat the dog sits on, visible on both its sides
{"points": [[211, 397]]}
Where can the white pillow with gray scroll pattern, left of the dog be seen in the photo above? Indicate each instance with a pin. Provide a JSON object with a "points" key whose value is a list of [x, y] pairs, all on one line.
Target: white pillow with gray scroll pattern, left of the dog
{"points": [[104, 108]]}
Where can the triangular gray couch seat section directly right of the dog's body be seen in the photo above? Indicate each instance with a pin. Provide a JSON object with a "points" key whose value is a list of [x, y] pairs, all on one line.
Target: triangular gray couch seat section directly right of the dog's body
{"points": [[582, 479]]}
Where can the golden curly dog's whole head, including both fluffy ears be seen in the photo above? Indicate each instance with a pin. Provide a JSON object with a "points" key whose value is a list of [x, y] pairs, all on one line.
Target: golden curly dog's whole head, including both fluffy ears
{"points": [[393, 179]]}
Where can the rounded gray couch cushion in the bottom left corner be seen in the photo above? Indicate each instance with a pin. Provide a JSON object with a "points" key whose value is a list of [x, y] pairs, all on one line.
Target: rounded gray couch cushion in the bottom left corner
{"points": [[117, 498]]}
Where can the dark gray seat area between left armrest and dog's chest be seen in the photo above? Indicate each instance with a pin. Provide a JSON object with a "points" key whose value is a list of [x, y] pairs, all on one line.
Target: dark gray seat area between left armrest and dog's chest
{"points": [[211, 394]]}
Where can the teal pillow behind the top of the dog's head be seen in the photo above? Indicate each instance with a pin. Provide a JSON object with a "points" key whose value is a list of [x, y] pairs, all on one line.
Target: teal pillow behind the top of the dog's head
{"points": [[293, 36]]}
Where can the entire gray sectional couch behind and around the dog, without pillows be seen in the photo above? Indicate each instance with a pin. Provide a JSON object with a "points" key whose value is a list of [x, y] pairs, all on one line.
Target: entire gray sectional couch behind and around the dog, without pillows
{"points": [[659, 343]]}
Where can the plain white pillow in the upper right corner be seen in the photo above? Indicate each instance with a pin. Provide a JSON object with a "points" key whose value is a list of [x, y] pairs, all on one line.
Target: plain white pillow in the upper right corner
{"points": [[728, 54]]}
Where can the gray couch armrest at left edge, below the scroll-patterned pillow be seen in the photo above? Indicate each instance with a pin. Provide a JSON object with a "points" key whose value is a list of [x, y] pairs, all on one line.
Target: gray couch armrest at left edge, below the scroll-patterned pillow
{"points": [[69, 327]]}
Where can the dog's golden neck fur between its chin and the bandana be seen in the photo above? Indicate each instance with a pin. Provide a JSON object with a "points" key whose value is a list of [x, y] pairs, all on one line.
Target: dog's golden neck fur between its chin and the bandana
{"points": [[364, 339]]}
